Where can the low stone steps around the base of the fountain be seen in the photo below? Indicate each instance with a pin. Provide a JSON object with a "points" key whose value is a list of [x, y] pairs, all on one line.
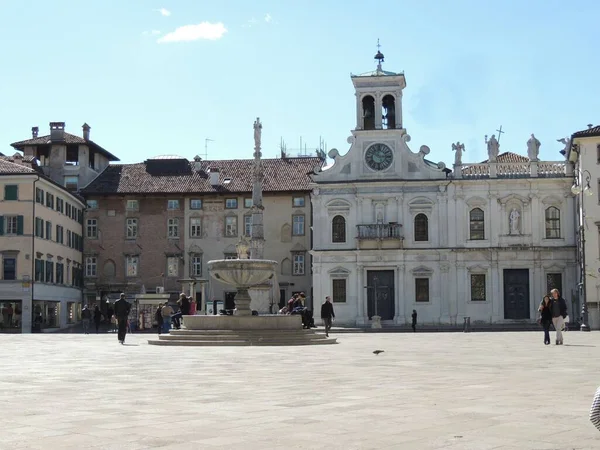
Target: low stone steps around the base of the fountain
{"points": [[241, 338]]}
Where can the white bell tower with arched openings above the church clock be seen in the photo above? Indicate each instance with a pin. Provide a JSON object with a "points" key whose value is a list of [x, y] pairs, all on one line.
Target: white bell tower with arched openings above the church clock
{"points": [[379, 98]]}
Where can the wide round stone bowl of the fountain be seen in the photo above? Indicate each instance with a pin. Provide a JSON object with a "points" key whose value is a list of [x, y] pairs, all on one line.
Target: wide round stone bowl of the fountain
{"points": [[242, 273]]}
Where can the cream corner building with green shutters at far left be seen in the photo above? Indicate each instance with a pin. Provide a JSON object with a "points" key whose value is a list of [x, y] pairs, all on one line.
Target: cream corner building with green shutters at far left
{"points": [[41, 247]]}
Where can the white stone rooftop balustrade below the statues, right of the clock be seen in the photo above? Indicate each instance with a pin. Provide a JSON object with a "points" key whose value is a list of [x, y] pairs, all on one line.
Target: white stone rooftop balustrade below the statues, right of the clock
{"points": [[531, 169]]}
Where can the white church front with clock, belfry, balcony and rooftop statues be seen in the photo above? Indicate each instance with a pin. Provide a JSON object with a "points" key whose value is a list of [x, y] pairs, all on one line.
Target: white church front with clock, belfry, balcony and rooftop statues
{"points": [[395, 232]]}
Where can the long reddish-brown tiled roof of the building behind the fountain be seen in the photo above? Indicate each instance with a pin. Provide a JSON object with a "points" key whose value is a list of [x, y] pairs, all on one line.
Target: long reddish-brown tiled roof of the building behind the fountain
{"points": [[179, 176]]}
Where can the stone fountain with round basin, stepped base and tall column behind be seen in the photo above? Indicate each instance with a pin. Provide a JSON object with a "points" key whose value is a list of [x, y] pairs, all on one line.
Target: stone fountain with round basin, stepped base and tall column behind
{"points": [[245, 273]]}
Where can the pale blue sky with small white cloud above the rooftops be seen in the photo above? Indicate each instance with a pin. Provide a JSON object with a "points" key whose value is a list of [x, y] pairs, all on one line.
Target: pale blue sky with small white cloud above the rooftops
{"points": [[156, 77]]}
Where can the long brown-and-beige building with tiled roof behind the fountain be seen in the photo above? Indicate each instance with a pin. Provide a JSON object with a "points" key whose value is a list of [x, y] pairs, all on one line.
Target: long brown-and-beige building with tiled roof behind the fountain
{"points": [[152, 227]]}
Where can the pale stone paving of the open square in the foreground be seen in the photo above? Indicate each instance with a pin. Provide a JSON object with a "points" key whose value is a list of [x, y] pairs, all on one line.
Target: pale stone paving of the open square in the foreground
{"points": [[450, 391]]}
